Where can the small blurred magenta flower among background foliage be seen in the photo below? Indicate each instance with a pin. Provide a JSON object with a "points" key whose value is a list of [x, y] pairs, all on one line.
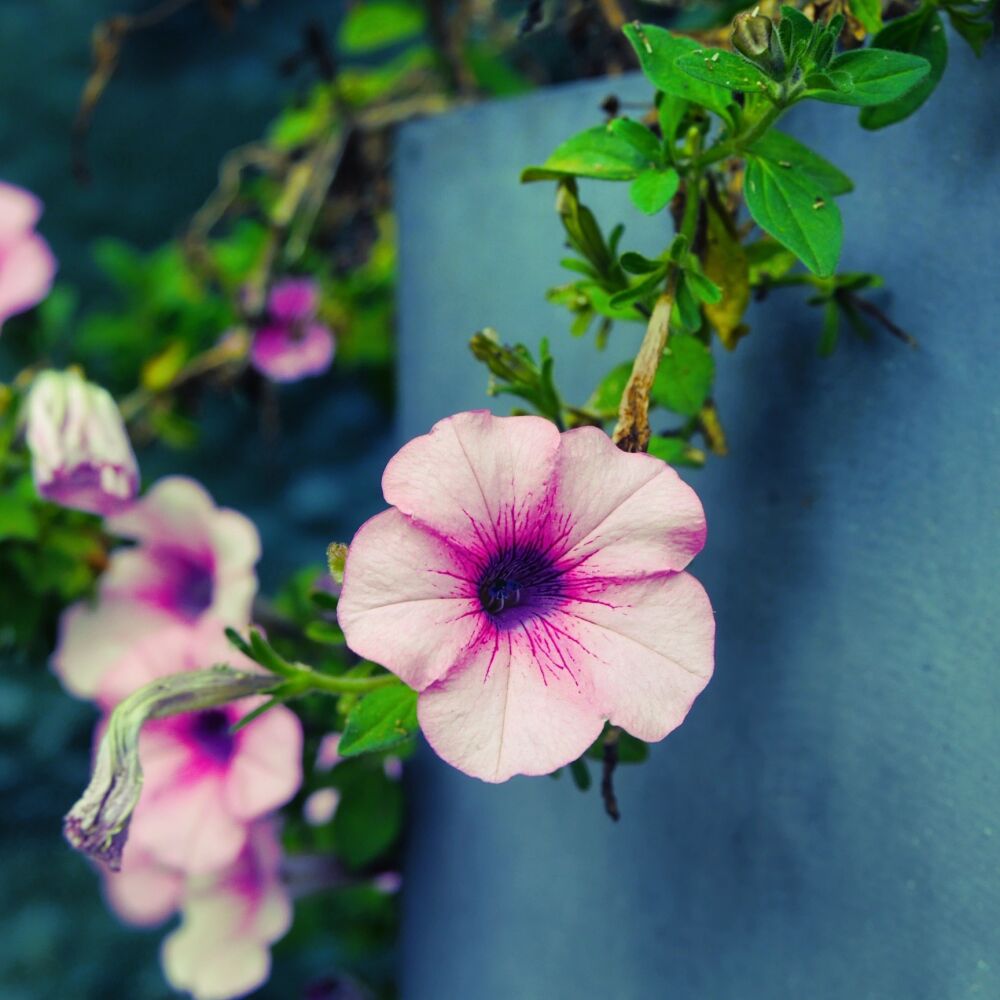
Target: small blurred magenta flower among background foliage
{"points": [[291, 344]]}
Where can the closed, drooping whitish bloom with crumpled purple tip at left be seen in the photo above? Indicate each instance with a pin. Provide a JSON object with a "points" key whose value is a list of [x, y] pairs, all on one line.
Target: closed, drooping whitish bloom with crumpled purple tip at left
{"points": [[80, 452]]}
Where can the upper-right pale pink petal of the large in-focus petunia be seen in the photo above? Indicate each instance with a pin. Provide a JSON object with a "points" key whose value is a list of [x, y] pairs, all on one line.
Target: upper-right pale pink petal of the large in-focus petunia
{"points": [[629, 514]]}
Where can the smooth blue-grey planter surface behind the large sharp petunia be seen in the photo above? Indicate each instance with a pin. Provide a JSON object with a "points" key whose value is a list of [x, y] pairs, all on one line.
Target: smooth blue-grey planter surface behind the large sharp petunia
{"points": [[827, 822]]}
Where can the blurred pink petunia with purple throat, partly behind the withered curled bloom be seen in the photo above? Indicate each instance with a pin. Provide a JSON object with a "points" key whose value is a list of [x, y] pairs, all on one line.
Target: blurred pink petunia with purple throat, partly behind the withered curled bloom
{"points": [[203, 783]]}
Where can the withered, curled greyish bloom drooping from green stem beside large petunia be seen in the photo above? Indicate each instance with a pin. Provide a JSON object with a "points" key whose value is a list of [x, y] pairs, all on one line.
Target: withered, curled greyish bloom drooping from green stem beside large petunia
{"points": [[98, 824]]}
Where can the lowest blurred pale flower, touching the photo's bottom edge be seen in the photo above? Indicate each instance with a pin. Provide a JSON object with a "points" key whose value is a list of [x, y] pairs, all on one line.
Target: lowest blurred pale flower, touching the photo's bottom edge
{"points": [[229, 921]]}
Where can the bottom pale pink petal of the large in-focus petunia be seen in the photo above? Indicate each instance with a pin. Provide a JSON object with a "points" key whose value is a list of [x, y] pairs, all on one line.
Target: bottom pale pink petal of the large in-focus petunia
{"points": [[517, 706]]}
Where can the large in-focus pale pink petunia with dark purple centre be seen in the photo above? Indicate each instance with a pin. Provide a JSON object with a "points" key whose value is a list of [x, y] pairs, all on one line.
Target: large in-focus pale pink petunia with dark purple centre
{"points": [[529, 584]]}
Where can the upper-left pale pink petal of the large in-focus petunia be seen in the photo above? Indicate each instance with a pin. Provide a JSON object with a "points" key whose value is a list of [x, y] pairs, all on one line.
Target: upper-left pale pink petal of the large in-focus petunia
{"points": [[475, 477]]}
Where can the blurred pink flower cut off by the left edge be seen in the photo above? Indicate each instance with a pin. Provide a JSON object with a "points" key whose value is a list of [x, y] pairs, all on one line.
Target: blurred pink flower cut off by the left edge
{"points": [[27, 266]]}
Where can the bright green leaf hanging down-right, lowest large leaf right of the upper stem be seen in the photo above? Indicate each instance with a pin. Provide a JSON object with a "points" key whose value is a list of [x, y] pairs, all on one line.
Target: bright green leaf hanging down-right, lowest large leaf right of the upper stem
{"points": [[797, 212]]}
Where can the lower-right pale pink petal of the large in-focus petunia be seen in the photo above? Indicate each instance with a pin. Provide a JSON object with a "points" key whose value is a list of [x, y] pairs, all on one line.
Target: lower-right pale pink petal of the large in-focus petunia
{"points": [[649, 646]]}
